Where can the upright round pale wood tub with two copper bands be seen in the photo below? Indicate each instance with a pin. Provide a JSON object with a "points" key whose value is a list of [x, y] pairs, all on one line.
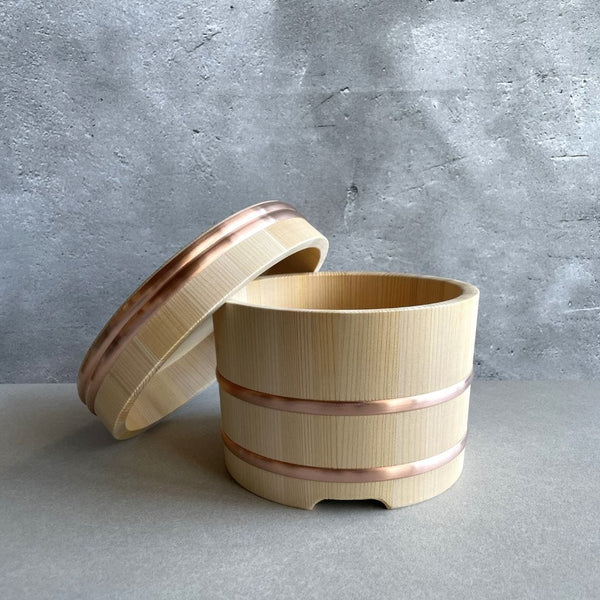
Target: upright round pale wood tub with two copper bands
{"points": [[346, 386]]}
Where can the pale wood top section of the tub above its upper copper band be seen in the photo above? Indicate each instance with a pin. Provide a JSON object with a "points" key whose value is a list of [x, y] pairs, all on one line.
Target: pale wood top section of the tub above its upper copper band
{"points": [[336, 351]]}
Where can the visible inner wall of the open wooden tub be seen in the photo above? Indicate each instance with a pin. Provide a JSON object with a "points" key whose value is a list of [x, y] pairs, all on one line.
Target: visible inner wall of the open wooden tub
{"points": [[347, 291]]}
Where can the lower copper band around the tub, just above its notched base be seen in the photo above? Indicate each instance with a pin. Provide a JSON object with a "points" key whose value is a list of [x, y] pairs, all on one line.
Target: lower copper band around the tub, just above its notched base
{"points": [[344, 475]]}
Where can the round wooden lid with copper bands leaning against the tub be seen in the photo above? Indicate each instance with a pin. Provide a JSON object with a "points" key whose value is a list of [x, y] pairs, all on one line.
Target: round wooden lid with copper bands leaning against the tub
{"points": [[157, 350]]}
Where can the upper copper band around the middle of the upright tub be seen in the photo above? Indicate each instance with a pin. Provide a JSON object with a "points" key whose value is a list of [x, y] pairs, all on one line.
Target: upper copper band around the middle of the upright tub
{"points": [[336, 408]]}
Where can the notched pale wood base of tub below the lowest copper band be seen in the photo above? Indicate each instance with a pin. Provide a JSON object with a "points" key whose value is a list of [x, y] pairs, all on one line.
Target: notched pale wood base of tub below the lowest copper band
{"points": [[303, 493]]}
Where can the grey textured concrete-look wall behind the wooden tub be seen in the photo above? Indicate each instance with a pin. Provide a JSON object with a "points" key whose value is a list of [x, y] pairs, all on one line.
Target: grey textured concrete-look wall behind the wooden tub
{"points": [[442, 137]]}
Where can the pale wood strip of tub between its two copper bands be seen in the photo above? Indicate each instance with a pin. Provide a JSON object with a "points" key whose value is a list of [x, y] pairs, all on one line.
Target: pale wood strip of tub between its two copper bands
{"points": [[344, 442]]}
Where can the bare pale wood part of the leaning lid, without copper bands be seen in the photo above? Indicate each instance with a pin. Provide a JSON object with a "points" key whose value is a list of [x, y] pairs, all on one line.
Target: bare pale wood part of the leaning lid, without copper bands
{"points": [[144, 384]]}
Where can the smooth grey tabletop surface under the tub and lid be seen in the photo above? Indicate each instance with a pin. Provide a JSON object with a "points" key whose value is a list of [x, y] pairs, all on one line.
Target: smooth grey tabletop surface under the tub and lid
{"points": [[158, 517]]}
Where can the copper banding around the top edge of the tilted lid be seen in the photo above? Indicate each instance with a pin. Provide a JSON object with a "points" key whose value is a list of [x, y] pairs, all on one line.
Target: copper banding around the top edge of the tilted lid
{"points": [[167, 280]]}
